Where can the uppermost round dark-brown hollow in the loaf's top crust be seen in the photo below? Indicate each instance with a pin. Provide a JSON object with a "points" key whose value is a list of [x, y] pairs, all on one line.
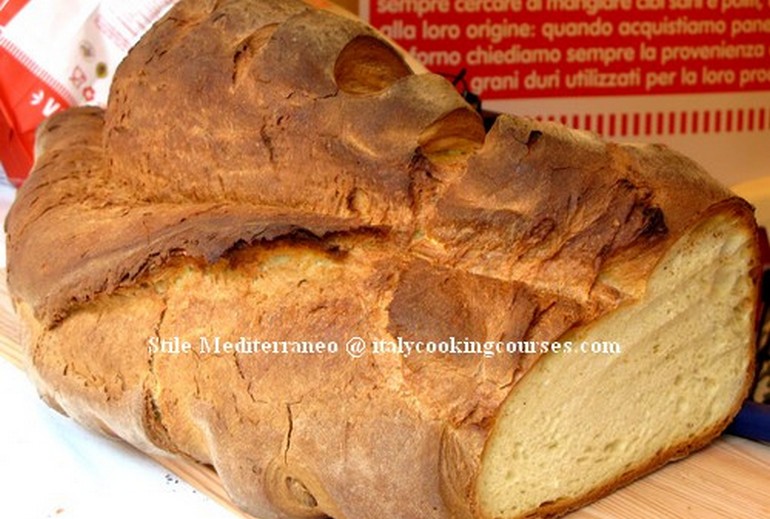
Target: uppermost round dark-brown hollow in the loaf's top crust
{"points": [[368, 65]]}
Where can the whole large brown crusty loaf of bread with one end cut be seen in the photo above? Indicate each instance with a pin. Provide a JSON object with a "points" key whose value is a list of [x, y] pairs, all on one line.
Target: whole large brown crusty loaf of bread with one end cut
{"points": [[265, 171]]}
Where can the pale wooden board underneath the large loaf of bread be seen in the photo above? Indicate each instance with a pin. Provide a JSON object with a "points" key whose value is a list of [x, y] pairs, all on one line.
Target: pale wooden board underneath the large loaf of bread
{"points": [[728, 480]]}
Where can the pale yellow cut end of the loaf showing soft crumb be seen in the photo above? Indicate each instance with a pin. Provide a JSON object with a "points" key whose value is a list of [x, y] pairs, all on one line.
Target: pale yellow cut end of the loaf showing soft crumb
{"points": [[581, 423]]}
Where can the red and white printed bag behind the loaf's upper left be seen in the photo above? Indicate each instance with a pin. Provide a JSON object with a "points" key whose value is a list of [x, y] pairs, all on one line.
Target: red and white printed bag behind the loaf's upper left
{"points": [[59, 53]]}
